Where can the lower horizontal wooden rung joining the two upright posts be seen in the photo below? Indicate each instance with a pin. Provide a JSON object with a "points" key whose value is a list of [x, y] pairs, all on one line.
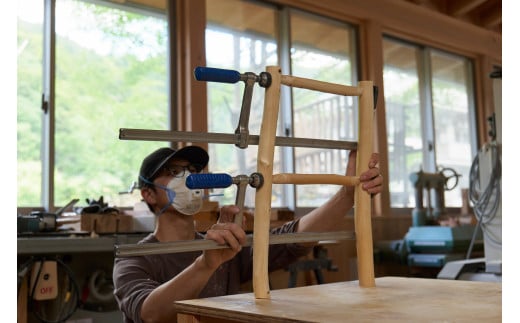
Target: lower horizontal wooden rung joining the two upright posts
{"points": [[304, 179]]}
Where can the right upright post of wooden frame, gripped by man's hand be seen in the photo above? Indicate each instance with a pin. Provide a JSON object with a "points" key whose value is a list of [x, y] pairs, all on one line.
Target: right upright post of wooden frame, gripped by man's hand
{"points": [[362, 200]]}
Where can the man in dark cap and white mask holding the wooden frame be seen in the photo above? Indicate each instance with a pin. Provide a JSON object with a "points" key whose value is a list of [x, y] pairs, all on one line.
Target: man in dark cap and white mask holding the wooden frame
{"points": [[147, 286]]}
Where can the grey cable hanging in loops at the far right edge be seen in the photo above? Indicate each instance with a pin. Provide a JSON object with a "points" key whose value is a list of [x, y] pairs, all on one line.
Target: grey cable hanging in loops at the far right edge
{"points": [[486, 200]]}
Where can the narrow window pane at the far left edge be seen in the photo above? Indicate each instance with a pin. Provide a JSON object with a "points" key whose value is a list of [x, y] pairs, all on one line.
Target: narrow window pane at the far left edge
{"points": [[29, 91]]}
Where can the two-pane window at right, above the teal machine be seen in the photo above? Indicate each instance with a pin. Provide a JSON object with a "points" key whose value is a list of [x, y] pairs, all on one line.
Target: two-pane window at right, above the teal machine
{"points": [[429, 113]]}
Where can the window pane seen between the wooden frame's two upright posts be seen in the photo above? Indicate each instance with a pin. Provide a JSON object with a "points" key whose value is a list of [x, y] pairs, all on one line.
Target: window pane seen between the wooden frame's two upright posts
{"points": [[325, 54]]}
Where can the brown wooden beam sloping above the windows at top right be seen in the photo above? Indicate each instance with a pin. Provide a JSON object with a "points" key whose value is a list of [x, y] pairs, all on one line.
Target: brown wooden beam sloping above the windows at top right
{"points": [[411, 22]]}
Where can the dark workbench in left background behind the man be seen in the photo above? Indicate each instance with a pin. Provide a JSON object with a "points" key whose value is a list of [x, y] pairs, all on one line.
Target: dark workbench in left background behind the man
{"points": [[84, 256]]}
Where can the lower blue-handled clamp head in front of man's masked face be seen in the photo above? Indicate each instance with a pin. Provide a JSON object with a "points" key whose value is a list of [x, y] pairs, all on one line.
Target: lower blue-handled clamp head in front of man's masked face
{"points": [[204, 181]]}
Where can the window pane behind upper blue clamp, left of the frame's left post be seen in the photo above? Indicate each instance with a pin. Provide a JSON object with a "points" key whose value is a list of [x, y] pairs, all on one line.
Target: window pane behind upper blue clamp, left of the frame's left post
{"points": [[243, 45]]}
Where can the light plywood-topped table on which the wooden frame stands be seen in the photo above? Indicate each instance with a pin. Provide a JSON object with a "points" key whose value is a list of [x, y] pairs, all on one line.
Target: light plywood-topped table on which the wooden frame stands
{"points": [[394, 299]]}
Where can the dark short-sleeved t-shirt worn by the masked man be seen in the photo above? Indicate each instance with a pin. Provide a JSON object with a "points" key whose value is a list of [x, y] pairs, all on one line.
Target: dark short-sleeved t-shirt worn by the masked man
{"points": [[136, 277]]}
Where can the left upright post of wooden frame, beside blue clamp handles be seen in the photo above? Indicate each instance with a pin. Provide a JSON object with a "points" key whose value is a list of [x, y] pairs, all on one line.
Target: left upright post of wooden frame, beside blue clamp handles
{"points": [[265, 158]]}
